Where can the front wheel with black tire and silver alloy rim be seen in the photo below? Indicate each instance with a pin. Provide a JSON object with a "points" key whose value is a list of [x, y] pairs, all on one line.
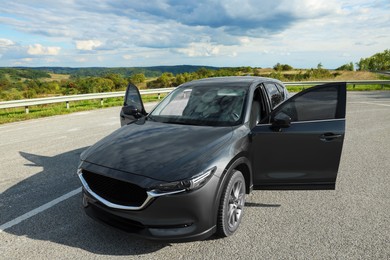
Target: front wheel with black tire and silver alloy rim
{"points": [[231, 205]]}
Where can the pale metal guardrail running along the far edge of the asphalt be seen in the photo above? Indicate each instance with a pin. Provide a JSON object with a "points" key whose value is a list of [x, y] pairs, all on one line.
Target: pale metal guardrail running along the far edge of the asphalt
{"points": [[26, 103]]}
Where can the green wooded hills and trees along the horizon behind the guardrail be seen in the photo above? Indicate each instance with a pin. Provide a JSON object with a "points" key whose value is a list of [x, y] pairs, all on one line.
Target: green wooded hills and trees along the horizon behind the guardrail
{"points": [[20, 83]]}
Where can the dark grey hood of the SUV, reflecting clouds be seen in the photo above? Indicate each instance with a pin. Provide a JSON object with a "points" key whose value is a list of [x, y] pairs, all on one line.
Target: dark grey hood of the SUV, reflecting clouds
{"points": [[165, 152]]}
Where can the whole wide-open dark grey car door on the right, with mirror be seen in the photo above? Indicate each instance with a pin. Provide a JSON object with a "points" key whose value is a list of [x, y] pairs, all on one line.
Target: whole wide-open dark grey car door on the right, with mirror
{"points": [[300, 147]]}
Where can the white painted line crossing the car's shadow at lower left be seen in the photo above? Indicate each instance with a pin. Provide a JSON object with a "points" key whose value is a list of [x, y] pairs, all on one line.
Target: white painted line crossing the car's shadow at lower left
{"points": [[39, 210]]}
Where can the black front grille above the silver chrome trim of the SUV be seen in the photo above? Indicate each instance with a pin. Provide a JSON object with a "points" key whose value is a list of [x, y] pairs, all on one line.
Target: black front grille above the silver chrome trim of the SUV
{"points": [[115, 191]]}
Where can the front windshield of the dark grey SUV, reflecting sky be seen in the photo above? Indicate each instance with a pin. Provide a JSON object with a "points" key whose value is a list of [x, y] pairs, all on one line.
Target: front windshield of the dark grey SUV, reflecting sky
{"points": [[202, 105]]}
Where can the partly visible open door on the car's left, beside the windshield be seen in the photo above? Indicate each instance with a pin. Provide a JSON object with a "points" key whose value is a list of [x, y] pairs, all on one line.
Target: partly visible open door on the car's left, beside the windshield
{"points": [[133, 107]]}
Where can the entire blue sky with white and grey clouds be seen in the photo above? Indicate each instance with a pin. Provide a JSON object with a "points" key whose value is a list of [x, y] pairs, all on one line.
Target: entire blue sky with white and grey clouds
{"points": [[222, 33]]}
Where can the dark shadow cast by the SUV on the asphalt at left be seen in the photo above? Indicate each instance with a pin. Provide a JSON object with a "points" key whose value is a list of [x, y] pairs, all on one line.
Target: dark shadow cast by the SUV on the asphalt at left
{"points": [[65, 223]]}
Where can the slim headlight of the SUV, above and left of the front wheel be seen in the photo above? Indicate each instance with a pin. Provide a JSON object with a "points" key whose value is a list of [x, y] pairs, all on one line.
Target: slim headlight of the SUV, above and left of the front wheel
{"points": [[195, 183]]}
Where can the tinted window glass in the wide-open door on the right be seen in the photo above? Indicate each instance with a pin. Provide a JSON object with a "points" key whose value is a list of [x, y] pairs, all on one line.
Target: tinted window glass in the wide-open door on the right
{"points": [[316, 105]]}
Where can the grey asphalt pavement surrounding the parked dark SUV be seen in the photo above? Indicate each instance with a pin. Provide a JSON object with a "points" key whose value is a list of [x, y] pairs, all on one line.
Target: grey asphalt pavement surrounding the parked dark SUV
{"points": [[38, 161]]}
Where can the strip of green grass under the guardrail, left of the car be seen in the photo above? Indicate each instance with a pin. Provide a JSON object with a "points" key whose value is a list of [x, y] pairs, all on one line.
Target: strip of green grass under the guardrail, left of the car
{"points": [[18, 114]]}
